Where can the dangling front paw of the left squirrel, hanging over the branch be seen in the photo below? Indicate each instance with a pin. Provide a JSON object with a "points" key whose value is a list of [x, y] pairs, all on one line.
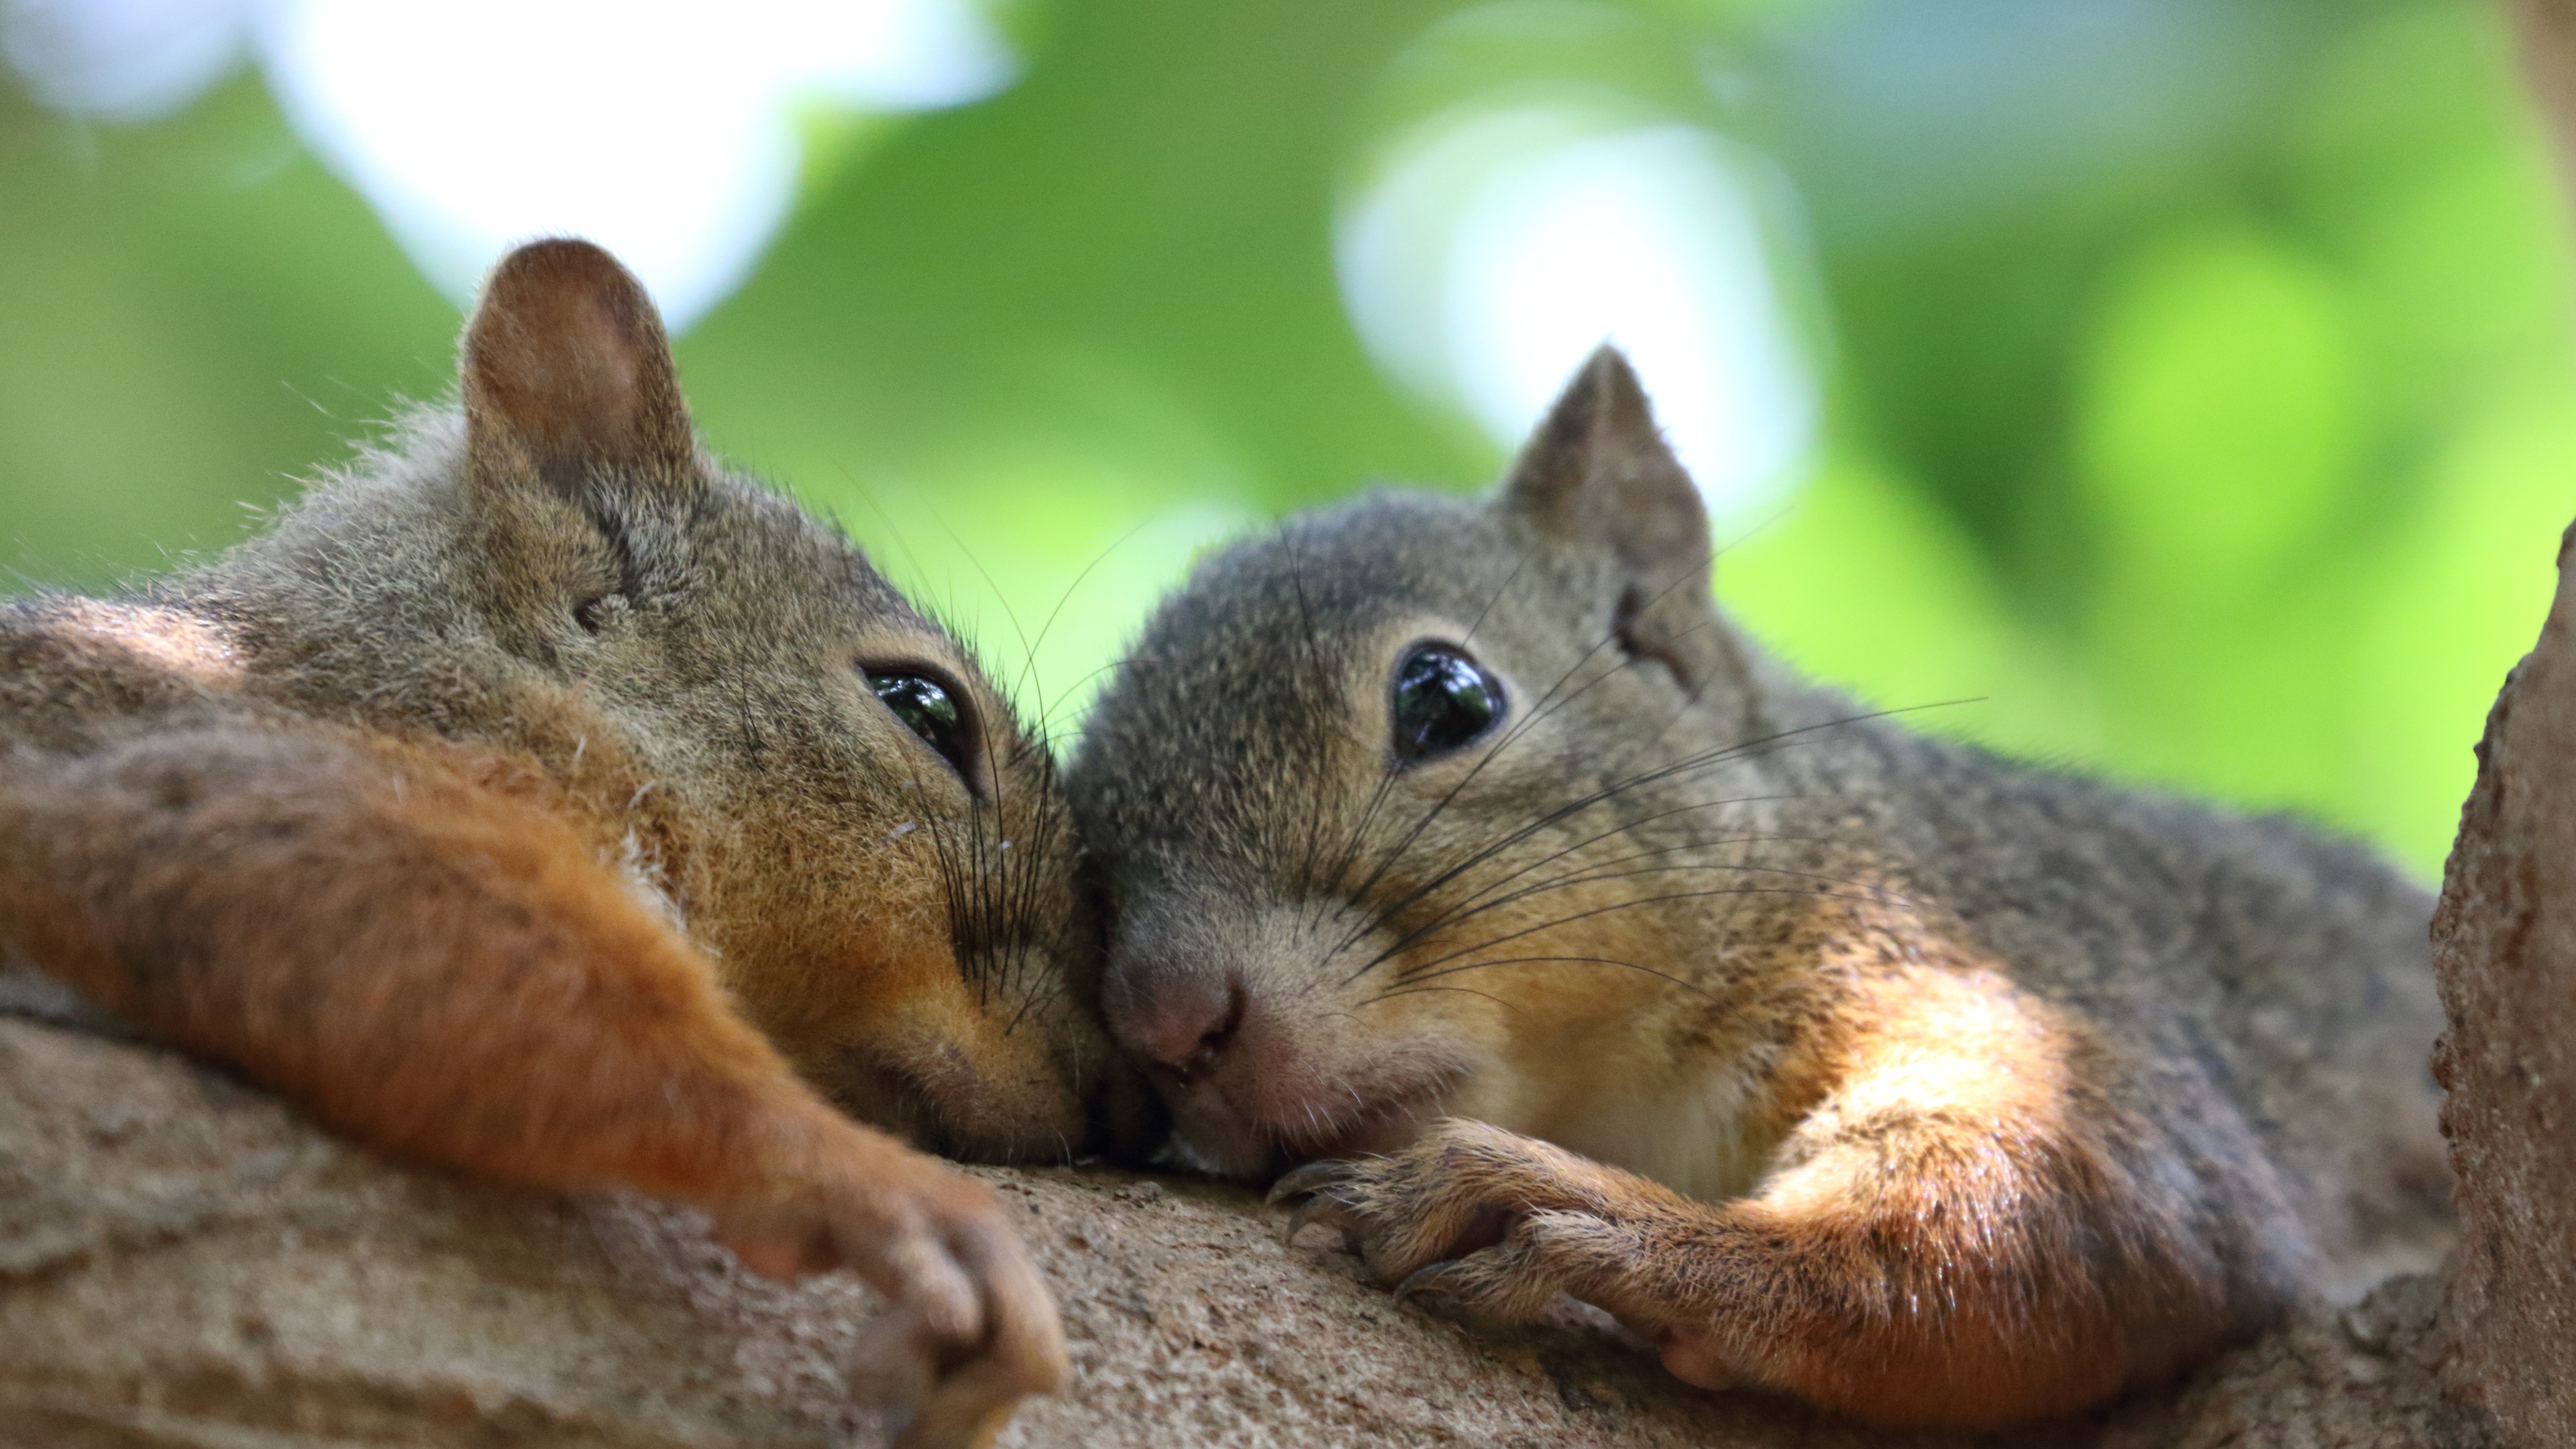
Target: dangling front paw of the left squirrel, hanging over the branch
{"points": [[975, 1314]]}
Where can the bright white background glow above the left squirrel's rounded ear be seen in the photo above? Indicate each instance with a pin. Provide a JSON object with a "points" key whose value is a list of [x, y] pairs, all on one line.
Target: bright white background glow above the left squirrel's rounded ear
{"points": [[666, 130]]}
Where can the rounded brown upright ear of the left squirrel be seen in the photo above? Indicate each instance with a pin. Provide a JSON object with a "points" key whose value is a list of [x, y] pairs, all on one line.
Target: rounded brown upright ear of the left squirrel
{"points": [[568, 375]]}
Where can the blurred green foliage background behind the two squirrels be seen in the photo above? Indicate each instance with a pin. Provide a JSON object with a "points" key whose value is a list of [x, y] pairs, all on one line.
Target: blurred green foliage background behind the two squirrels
{"points": [[2193, 383]]}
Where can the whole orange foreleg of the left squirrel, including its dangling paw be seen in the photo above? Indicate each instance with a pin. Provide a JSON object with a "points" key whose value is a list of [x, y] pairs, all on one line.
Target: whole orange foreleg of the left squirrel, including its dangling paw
{"points": [[450, 973]]}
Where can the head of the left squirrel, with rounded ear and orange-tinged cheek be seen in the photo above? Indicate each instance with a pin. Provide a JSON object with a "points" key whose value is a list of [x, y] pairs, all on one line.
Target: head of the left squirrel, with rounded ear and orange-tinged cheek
{"points": [[797, 764]]}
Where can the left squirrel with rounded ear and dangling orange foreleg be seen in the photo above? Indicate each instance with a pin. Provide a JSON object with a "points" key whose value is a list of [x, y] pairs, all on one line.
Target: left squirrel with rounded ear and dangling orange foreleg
{"points": [[547, 803]]}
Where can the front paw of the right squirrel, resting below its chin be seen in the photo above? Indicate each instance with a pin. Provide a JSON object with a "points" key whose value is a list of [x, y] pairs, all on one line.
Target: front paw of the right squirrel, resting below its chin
{"points": [[1475, 1216]]}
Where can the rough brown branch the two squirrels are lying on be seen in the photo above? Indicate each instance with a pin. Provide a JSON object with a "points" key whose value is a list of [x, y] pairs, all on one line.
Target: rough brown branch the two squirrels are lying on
{"points": [[187, 1265]]}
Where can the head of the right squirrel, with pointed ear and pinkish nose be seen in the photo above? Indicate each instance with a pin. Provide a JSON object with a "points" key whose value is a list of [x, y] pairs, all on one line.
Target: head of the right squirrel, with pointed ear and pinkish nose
{"points": [[1385, 798]]}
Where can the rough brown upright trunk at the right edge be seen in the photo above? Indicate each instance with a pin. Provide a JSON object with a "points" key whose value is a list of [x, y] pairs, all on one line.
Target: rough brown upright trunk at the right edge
{"points": [[2505, 945]]}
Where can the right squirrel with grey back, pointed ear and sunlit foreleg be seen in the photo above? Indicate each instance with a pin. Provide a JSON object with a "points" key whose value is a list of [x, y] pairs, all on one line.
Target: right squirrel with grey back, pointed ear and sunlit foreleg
{"points": [[1475, 860]]}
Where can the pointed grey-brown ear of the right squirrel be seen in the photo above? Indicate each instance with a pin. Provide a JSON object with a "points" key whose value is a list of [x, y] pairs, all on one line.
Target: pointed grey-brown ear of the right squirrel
{"points": [[1601, 476]]}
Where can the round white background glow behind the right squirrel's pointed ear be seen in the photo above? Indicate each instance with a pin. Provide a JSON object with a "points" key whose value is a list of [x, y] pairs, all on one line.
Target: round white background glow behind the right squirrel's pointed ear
{"points": [[1498, 249]]}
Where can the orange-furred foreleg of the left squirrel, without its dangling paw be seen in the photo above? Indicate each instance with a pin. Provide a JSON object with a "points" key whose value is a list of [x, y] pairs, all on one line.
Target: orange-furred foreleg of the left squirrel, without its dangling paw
{"points": [[496, 950]]}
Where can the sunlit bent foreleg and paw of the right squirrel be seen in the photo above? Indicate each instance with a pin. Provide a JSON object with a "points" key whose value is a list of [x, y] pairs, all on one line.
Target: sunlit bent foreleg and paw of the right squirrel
{"points": [[1949, 1236]]}
